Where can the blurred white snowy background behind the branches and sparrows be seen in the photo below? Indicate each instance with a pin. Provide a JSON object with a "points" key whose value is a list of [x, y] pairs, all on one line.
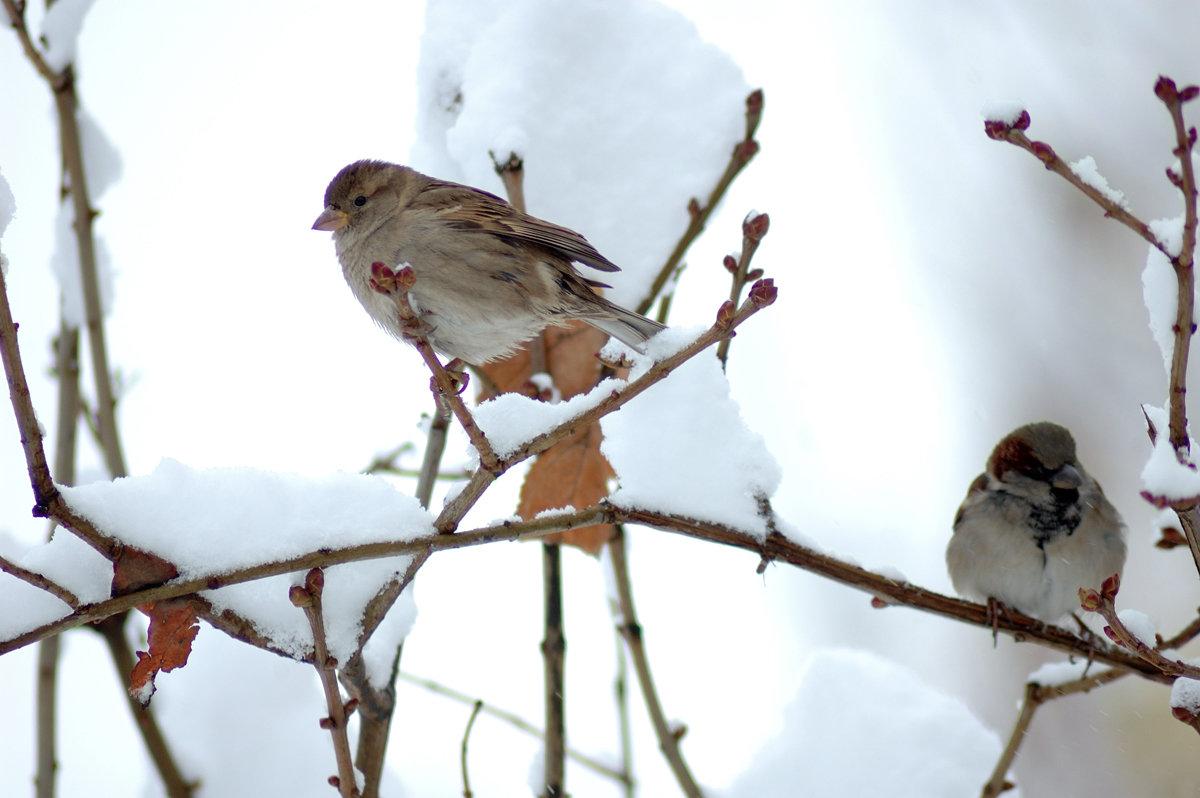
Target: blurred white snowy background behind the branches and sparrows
{"points": [[937, 291]]}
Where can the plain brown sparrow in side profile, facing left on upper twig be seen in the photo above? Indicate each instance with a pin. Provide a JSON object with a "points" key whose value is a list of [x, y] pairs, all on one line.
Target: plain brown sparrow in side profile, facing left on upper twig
{"points": [[489, 277]]}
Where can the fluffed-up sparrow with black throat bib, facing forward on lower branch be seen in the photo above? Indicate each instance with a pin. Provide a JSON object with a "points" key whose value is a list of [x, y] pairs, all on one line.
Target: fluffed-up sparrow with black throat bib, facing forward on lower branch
{"points": [[1035, 527]]}
